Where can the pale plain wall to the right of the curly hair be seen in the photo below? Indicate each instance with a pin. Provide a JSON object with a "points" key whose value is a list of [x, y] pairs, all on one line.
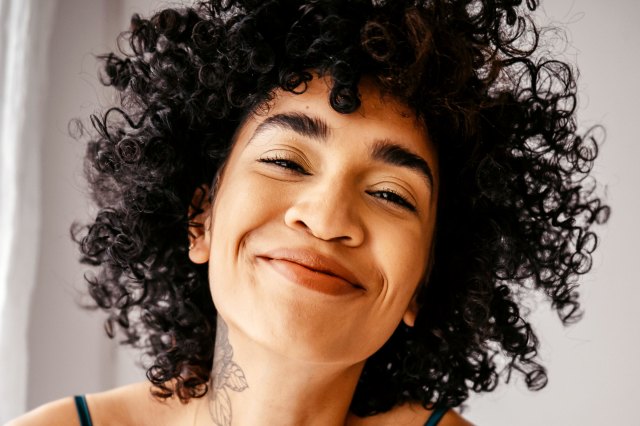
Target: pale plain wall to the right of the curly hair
{"points": [[594, 369]]}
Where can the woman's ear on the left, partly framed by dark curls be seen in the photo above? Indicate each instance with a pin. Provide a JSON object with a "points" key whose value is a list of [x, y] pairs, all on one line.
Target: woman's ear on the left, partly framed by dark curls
{"points": [[200, 225]]}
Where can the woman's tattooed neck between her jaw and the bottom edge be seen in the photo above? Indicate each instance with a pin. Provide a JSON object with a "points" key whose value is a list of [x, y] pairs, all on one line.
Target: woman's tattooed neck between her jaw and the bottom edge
{"points": [[251, 385]]}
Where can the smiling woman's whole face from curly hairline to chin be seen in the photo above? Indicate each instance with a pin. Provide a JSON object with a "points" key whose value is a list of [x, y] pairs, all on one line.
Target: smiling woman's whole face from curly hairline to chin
{"points": [[322, 225]]}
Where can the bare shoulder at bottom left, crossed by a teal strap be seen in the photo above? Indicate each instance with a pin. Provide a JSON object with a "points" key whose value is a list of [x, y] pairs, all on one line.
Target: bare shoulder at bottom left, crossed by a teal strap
{"points": [[131, 404]]}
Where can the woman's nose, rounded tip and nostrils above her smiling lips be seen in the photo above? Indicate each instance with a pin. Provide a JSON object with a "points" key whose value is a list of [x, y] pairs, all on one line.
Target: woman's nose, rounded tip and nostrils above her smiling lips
{"points": [[327, 211]]}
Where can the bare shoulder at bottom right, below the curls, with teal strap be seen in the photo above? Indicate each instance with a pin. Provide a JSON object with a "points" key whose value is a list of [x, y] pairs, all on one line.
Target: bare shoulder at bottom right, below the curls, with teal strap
{"points": [[408, 415]]}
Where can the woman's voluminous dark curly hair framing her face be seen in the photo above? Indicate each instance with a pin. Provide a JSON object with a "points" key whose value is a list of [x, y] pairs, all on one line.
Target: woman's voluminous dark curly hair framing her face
{"points": [[516, 205]]}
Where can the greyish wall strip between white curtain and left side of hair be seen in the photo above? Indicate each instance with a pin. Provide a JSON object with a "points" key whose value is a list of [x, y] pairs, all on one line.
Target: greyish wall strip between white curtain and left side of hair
{"points": [[68, 350]]}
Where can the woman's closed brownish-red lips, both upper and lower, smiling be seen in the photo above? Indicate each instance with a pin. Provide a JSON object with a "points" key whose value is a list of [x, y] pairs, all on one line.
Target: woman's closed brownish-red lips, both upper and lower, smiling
{"points": [[312, 269]]}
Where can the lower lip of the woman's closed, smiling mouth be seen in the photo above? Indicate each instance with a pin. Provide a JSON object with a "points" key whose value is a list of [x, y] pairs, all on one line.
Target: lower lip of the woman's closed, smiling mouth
{"points": [[314, 280]]}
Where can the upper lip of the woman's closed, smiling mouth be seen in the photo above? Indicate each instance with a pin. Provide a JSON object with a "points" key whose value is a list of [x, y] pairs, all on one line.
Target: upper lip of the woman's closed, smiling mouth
{"points": [[314, 260]]}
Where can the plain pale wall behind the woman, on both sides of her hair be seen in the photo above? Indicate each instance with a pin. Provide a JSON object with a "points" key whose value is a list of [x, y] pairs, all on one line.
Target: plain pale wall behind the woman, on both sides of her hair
{"points": [[594, 366]]}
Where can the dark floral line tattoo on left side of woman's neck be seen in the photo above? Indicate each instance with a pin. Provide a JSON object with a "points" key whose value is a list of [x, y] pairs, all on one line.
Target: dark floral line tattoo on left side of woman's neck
{"points": [[226, 376]]}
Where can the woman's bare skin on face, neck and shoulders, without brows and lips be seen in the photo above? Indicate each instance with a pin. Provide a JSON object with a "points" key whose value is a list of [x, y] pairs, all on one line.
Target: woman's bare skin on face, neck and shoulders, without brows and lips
{"points": [[287, 353]]}
